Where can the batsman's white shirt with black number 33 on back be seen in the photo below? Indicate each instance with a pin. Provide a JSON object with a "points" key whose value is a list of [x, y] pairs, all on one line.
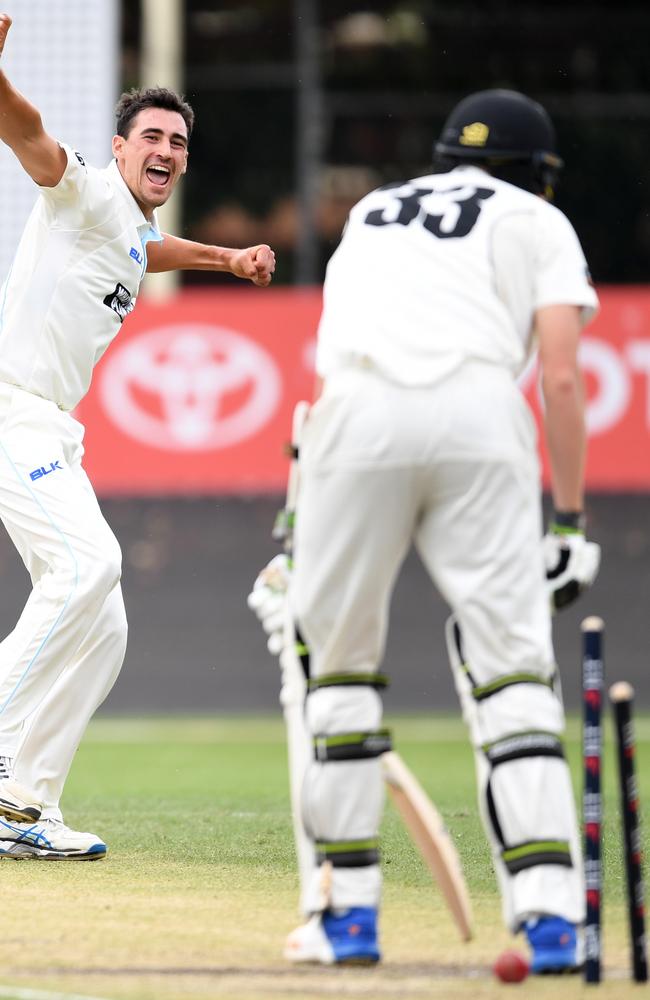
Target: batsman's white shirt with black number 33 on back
{"points": [[444, 269]]}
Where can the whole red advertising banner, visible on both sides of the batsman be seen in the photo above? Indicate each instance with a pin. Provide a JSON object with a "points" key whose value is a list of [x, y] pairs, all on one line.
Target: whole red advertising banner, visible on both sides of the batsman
{"points": [[195, 395]]}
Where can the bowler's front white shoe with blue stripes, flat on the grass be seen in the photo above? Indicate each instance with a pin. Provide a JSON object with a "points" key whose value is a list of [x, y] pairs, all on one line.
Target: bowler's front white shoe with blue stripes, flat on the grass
{"points": [[50, 840]]}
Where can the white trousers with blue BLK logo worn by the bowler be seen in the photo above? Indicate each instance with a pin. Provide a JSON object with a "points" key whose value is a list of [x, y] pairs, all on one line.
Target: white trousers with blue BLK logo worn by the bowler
{"points": [[64, 654]]}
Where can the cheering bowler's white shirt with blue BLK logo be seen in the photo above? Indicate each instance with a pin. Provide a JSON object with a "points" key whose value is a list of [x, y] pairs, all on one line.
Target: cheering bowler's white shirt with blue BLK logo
{"points": [[74, 278]]}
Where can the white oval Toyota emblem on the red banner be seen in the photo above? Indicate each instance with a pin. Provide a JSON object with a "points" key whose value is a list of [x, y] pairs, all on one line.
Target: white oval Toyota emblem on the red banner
{"points": [[190, 387]]}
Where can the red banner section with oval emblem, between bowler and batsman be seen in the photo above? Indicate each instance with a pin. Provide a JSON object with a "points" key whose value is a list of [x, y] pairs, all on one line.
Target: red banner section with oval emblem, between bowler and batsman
{"points": [[195, 395]]}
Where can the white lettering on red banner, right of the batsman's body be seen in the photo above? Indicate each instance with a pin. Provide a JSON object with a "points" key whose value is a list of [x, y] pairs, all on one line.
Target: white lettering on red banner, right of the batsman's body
{"points": [[612, 371]]}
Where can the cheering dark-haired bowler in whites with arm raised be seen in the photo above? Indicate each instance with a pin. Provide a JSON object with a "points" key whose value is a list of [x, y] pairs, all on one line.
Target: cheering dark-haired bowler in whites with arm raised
{"points": [[90, 239]]}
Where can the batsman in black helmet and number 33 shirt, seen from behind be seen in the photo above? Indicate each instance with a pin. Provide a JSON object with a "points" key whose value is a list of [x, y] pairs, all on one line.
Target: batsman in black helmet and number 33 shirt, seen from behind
{"points": [[441, 290]]}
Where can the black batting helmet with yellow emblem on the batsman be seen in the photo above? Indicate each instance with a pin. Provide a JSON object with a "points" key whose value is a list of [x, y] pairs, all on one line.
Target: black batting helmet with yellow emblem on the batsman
{"points": [[505, 131]]}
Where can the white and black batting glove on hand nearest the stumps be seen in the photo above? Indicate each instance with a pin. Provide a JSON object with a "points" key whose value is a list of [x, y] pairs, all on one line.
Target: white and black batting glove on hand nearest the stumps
{"points": [[572, 563]]}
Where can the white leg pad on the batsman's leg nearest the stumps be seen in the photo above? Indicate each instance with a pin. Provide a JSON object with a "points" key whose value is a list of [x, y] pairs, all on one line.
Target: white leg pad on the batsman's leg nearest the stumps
{"points": [[525, 800]]}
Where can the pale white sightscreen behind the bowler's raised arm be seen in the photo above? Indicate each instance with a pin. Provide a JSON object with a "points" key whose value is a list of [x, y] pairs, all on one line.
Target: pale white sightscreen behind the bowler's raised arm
{"points": [[63, 56]]}
